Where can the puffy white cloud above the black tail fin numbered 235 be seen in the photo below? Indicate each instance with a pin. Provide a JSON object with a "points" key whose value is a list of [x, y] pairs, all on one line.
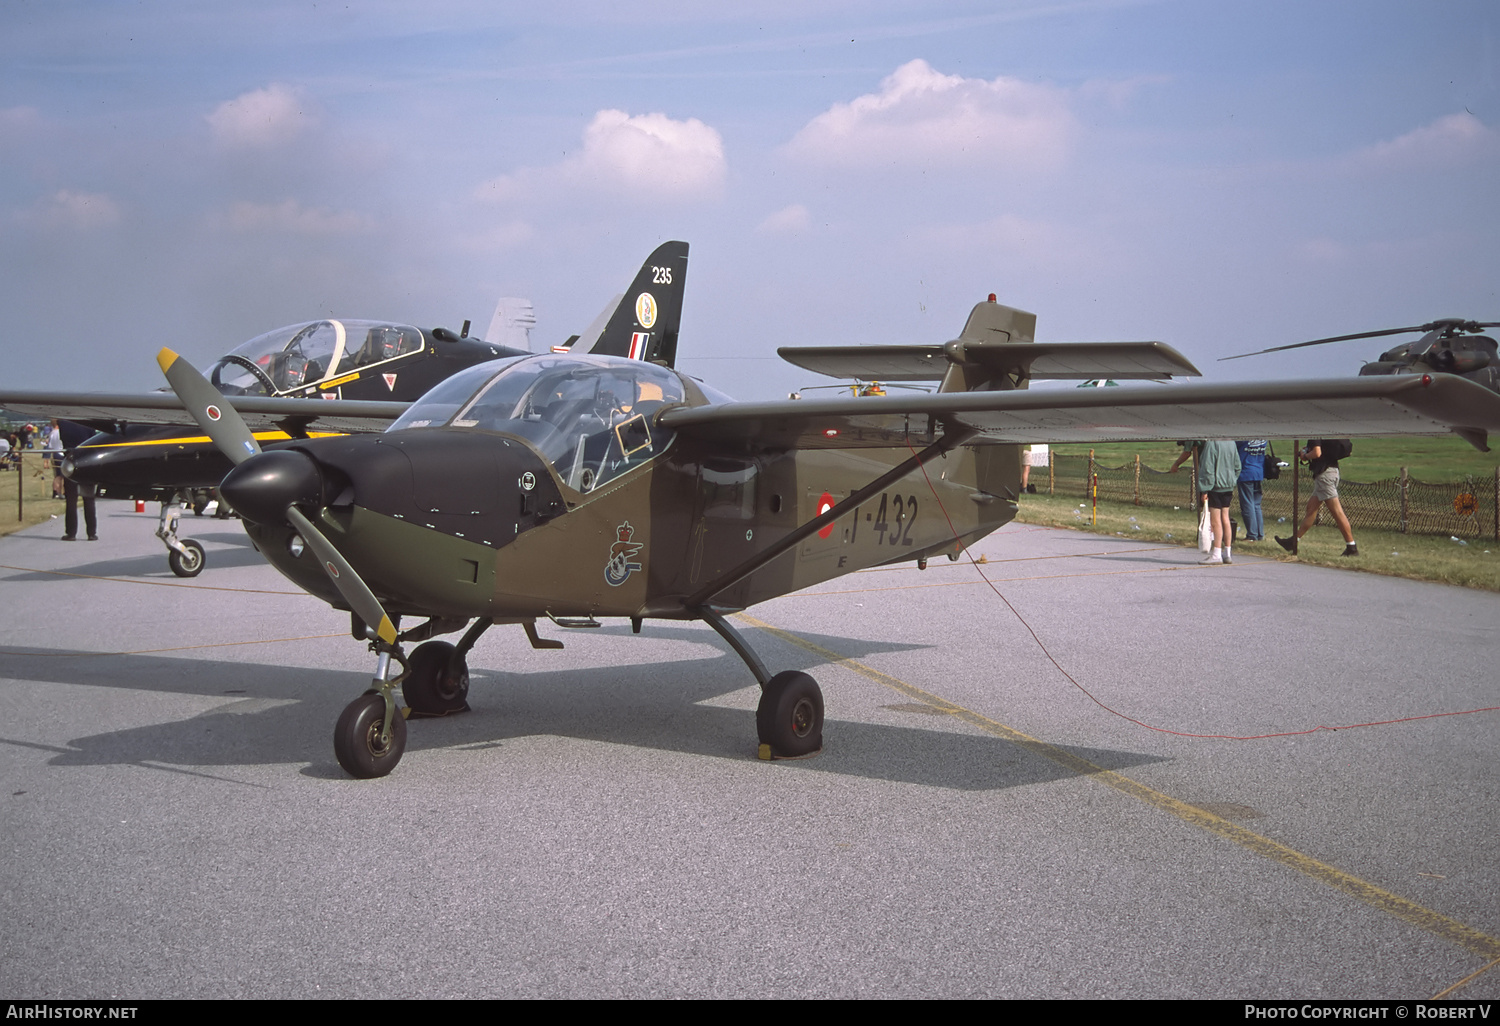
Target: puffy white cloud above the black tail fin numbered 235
{"points": [[649, 157]]}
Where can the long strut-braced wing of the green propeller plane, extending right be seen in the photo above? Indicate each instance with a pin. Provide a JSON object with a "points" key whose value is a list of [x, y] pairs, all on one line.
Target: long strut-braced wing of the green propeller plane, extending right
{"points": [[1334, 409]]}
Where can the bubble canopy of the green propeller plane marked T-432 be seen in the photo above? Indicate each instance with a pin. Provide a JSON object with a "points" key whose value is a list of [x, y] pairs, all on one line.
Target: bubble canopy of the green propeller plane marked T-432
{"points": [[590, 416]]}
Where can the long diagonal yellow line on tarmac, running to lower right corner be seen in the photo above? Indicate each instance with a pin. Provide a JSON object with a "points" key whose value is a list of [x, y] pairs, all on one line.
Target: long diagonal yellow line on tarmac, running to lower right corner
{"points": [[1411, 913]]}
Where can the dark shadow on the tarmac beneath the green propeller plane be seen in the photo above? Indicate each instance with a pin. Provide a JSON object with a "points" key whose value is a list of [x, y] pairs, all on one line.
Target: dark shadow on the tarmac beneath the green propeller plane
{"points": [[286, 716]]}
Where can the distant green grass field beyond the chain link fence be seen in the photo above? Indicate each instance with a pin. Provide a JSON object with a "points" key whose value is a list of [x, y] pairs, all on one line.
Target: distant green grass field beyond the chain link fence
{"points": [[1375, 460]]}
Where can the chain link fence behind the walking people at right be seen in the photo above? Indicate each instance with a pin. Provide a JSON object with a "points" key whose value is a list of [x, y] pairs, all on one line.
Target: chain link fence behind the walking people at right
{"points": [[1465, 509]]}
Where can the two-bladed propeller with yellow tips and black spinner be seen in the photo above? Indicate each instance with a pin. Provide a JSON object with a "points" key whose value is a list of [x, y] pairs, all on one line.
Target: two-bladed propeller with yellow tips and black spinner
{"points": [[268, 487]]}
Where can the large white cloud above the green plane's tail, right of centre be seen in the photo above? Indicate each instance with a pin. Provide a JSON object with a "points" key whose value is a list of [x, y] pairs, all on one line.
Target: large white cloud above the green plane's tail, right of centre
{"points": [[922, 116]]}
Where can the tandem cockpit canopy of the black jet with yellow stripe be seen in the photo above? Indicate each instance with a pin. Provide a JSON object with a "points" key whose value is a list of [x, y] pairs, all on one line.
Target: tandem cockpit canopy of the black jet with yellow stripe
{"points": [[295, 359]]}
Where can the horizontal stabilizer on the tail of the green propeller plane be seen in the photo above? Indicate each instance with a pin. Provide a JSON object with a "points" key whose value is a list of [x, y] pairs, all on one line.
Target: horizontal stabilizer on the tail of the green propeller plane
{"points": [[1034, 361]]}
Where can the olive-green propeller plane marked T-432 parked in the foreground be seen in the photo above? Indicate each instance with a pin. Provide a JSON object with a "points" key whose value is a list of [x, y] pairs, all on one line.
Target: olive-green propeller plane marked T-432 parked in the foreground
{"points": [[571, 488]]}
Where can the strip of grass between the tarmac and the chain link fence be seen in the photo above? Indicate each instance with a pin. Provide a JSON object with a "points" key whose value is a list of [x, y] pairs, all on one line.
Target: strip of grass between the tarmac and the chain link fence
{"points": [[1438, 559]]}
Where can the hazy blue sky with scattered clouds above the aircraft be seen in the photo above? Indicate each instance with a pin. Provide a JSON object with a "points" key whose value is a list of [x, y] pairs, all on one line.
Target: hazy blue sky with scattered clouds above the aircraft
{"points": [[1217, 175]]}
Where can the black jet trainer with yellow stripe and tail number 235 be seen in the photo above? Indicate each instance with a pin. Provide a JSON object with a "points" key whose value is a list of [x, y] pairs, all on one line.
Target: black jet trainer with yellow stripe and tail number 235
{"points": [[148, 448]]}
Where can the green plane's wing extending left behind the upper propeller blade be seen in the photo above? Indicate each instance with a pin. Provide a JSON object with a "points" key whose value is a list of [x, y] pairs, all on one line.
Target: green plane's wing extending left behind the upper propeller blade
{"points": [[262, 413]]}
